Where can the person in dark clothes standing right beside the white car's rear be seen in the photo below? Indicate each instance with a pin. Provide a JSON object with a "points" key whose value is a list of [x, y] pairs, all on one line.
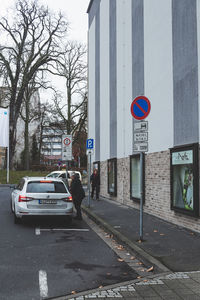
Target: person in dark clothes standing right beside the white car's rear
{"points": [[78, 194]]}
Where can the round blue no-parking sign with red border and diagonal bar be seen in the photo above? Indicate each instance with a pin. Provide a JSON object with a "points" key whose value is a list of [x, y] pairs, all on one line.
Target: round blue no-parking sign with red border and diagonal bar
{"points": [[140, 107]]}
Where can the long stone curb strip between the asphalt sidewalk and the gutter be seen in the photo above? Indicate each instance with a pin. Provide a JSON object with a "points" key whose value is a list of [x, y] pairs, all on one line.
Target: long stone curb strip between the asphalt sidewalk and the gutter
{"points": [[120, 237]]}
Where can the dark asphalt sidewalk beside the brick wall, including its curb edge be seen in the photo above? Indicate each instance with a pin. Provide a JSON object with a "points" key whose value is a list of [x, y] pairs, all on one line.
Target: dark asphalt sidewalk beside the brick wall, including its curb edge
{"points": [[167, 246]]}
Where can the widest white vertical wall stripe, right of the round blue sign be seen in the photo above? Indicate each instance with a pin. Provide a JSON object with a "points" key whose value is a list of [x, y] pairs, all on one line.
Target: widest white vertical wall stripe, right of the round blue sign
{"points": [[158, 72]]}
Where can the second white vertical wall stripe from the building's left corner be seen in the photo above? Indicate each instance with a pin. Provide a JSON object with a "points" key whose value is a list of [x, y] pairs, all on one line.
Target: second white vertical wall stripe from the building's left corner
{"points": [[104, 81]]}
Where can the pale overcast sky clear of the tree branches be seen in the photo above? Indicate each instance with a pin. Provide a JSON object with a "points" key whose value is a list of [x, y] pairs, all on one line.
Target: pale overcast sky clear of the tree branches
{"points": [[74, 10]]}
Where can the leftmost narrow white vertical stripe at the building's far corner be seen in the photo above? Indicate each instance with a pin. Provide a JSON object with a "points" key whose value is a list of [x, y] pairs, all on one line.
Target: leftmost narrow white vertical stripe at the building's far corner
{"points": [[91, 87]]}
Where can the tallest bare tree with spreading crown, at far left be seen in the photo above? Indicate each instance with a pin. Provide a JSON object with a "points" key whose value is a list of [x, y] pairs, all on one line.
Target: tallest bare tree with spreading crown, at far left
{"points": [[33, 39]]}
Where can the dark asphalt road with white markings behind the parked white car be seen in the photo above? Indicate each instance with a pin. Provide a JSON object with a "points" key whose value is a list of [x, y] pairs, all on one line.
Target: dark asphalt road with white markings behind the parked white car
{"points": [[46, 257]]}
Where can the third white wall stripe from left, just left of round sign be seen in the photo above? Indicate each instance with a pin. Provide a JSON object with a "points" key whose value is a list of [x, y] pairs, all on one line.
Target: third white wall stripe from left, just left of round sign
{"points": [[124, 78]]}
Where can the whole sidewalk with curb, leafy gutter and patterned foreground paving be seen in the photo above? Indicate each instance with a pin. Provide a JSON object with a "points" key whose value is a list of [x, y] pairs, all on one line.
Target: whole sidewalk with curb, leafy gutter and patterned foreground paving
{"points": [[173, 251]]}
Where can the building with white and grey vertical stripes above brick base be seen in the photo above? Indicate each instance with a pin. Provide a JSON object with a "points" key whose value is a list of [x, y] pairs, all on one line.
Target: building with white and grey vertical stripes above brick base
{"points": [[151, 48]]}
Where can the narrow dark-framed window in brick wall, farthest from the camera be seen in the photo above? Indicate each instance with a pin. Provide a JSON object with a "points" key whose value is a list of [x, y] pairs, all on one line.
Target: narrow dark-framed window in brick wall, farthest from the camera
{"points": [[112, 176]]}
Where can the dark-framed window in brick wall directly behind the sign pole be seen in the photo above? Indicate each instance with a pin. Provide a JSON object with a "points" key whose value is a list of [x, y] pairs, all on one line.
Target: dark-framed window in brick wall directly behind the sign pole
{"points": [[135, 186]]}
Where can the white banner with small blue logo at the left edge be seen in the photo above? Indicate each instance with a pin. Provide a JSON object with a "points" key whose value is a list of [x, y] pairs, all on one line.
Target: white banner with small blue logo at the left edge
{"points": [[4, 127]]}
